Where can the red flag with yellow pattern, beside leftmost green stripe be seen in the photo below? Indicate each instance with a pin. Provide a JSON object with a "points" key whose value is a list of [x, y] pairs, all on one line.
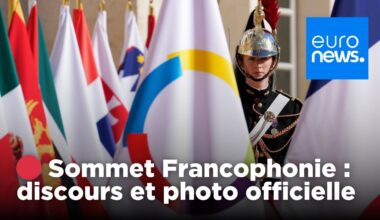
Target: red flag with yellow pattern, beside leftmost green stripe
{"points": [[28, 75]]}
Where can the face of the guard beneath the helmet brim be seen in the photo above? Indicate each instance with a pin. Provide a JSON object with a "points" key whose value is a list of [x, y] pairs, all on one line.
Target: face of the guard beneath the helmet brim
{"points": [[257, 67]]}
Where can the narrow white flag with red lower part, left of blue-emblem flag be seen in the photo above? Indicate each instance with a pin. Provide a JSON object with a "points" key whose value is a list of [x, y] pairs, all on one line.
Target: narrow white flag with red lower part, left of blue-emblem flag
{"points": [[110, 81]]}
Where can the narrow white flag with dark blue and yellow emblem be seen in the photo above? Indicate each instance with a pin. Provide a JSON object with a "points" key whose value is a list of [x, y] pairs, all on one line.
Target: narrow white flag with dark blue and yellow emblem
{"points": [[132, 58]]}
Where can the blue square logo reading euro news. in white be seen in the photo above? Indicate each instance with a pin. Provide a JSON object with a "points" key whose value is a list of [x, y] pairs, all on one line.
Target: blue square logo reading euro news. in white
{"points": [[337, 48]]}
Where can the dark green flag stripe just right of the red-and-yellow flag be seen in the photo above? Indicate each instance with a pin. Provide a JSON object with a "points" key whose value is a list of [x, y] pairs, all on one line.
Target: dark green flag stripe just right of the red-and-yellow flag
{"points": [[46, 80]]}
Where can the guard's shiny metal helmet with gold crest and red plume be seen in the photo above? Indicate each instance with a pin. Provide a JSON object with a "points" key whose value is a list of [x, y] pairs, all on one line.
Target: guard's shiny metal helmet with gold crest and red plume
{"points": [[259, 42]]}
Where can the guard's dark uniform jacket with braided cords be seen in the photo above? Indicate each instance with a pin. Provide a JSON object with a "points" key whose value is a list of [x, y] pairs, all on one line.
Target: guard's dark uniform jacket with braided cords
{"points": [[275, 142]]}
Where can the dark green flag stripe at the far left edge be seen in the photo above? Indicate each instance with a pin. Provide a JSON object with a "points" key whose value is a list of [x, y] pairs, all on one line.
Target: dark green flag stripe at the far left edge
{"points": [[8, 73]]}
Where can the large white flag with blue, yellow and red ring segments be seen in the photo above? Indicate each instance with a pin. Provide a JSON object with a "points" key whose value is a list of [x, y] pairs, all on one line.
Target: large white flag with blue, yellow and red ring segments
{"points": [[188, 106]]}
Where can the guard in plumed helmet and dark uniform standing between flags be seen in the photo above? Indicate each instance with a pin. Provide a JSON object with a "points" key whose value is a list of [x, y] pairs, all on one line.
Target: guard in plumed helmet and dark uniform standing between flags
{"points": [[271, 115]]}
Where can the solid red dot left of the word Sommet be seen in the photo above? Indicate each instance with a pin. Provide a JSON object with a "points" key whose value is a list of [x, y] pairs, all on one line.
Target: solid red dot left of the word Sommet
{"points": [[28, 167]]}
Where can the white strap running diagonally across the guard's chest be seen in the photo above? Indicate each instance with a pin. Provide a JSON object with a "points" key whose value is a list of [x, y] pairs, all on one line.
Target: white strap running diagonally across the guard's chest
{"points": [[267, 119]]}
